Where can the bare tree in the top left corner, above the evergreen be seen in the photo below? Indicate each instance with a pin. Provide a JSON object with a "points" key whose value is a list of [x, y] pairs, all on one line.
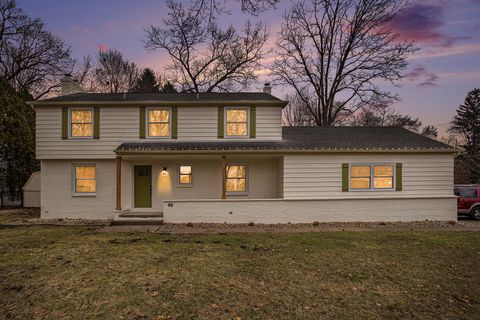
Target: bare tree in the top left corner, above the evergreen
{"points": [[31, 58]]}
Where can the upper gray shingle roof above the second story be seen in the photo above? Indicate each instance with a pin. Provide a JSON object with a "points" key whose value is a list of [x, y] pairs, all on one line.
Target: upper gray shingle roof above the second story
{"points": [[138, 97]]}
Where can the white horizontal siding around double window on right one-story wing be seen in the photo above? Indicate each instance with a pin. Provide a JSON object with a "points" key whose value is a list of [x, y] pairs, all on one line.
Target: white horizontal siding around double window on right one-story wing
{"points": [[320, 176]]}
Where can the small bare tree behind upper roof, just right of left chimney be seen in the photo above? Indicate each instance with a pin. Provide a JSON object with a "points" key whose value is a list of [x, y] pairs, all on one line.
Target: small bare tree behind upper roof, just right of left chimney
{"points": [[113, 73]]}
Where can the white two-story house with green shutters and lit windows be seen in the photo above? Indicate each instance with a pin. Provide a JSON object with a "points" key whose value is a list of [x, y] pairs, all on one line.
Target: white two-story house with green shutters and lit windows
{"points": [[224, 157]]}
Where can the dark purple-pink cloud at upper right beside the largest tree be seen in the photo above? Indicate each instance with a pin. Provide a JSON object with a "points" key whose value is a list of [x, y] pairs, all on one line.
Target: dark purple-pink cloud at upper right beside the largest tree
{"points": [[422, 23]]}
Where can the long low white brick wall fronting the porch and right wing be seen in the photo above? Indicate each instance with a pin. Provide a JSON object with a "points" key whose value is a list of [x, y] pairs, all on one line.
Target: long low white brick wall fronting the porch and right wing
{"points": [[308, 211]]}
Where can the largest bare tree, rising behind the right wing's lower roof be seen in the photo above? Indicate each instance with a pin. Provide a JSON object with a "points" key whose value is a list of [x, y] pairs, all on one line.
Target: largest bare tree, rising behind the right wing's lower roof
{"points": [[333, 53]]}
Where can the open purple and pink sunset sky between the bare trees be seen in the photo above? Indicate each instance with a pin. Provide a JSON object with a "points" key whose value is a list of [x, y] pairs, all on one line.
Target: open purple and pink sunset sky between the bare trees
{"points": [[438, 78]]}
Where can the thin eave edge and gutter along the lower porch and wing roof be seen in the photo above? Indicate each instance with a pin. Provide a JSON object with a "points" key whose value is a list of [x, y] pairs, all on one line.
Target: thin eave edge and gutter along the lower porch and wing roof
{"points": [[283, 151]]}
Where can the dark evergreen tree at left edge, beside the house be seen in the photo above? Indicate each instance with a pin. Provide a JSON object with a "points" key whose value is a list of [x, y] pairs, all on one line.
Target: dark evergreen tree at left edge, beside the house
{"points": [[17, 138]]}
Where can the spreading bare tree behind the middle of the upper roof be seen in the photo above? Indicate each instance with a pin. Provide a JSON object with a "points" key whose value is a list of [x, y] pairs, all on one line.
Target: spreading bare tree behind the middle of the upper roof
{"points": [[205, 57]]}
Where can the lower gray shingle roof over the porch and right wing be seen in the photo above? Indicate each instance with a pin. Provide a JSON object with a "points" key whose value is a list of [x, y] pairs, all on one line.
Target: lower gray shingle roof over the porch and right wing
{"points": [[307, 138]]}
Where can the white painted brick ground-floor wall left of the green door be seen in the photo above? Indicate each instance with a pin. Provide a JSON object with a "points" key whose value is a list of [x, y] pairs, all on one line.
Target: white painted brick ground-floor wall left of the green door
{"points": [[57, 200]]}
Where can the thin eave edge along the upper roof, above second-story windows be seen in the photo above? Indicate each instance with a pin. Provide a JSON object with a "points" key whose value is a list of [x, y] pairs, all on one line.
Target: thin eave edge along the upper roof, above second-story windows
{"points": [[183, 103]]}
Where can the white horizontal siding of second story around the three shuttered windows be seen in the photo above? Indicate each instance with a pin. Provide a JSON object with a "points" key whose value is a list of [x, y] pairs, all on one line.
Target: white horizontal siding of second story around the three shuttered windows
{"points": [[121, 124]]}
